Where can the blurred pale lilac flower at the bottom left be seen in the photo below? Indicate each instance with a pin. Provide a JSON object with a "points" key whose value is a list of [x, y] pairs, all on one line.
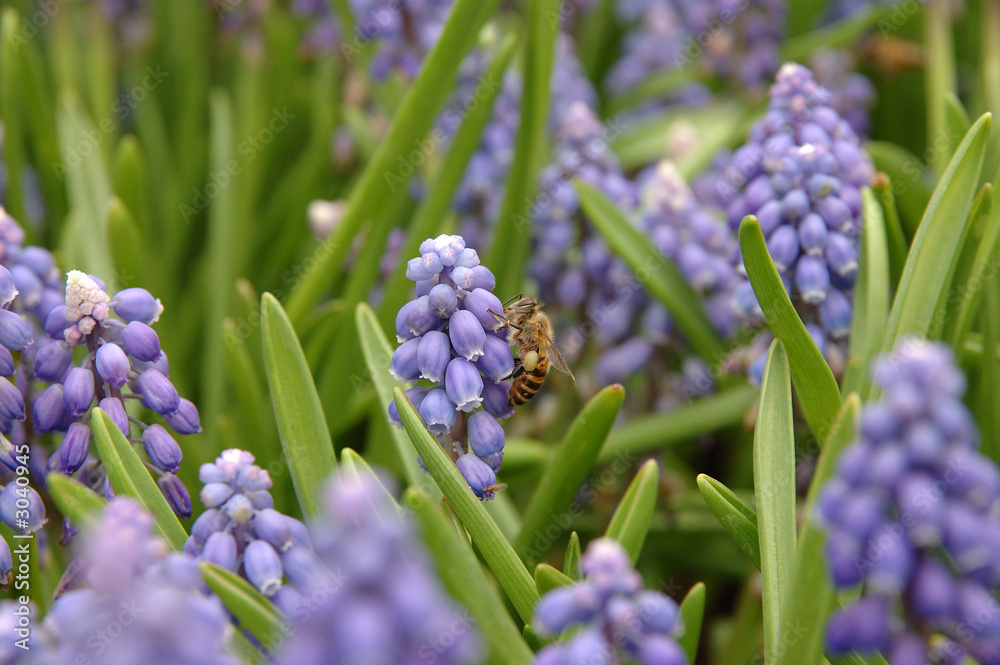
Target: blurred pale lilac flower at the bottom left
{"points": [[133, 581]]}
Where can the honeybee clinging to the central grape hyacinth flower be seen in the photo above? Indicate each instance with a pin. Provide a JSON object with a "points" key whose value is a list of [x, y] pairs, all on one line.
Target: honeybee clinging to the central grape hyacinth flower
{"points": [[532, 332]]}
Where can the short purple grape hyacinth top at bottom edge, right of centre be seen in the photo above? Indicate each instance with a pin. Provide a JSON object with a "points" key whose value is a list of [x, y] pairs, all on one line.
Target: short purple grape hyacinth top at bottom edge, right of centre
{"points": [[614, 618]]}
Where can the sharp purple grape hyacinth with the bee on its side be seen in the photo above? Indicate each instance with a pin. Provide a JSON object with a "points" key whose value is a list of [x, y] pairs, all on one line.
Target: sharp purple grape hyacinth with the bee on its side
{"points": [[450, 337]]}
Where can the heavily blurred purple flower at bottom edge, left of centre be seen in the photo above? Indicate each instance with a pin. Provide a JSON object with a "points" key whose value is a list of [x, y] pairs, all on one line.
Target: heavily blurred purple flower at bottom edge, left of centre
{"points": [[371, 595]]}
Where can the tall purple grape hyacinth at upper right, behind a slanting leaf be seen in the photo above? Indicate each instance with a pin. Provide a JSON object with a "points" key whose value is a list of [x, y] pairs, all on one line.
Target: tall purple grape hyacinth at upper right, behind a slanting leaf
{"points": [[801, 174]]}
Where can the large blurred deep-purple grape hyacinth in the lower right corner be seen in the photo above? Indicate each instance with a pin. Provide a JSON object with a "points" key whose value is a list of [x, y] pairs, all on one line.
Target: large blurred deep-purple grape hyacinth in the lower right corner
{"points": [[912, 516]]}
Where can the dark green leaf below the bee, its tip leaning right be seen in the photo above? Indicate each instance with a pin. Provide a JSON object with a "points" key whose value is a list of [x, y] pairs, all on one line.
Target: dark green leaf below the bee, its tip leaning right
{"points": [[567, 469]]}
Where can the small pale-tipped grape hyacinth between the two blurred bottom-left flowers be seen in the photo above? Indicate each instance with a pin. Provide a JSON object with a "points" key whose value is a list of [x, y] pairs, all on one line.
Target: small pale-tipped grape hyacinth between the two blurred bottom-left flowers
{"points": [[241, 531]]}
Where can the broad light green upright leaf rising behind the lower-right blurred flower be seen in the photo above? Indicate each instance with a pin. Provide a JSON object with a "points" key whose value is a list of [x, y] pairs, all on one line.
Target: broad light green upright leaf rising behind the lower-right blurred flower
{"points": [[930, 263]]}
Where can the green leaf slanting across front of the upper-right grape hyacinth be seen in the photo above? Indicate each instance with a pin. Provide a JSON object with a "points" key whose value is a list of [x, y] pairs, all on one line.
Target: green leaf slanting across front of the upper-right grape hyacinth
{"points": [[815, 385]]}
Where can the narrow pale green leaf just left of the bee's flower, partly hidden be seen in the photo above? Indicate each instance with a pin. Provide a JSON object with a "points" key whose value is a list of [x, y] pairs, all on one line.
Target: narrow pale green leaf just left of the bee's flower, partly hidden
{"points": [[378, 354]]}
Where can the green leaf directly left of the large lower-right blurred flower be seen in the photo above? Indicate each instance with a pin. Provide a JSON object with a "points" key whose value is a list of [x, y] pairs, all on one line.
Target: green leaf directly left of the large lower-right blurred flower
{"points": [[811, 596]]}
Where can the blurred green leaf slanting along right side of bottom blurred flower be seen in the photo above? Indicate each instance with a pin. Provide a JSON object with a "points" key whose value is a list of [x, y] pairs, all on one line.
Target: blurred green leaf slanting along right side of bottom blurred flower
{"points": [[463, 577]]}
